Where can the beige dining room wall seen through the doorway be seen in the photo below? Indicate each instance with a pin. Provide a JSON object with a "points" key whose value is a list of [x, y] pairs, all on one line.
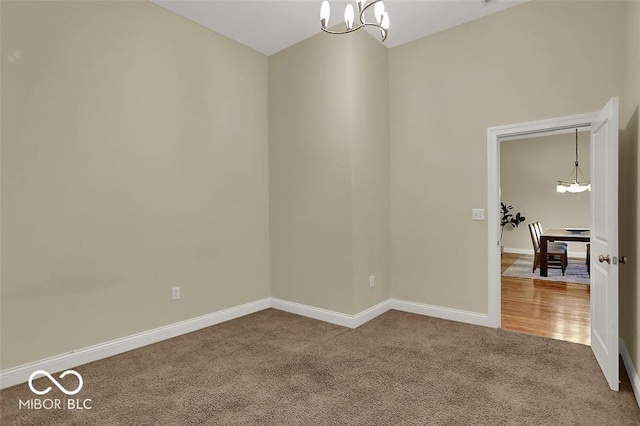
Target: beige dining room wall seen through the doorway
{"points": [[529, 169]]}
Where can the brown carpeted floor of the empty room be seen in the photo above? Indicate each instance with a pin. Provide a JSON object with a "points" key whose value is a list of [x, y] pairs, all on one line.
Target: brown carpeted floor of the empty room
{"points": [[275, 368]]}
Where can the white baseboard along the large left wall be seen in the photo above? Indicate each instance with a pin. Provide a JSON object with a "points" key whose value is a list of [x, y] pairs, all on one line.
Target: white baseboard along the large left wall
{"points": [[20, 374]]}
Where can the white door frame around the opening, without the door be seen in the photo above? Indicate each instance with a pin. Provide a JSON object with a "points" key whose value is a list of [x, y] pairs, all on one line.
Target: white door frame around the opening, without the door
{"points": [[494, 136]]}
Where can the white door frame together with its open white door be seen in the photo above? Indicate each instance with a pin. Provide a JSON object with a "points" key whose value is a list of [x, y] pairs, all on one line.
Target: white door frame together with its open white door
{"points": [[603, 239]]}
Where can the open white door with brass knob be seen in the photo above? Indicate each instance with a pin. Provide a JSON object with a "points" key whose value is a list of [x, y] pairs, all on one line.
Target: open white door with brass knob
{"points": [[604, 241]]}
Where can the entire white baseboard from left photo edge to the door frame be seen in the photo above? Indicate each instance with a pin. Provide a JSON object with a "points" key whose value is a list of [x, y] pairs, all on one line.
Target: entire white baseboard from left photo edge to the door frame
{"points": [[20, 374]]}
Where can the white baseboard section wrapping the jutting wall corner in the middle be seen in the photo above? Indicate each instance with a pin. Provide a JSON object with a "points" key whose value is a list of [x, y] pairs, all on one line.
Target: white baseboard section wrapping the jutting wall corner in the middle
{"points": [[333, 317]]}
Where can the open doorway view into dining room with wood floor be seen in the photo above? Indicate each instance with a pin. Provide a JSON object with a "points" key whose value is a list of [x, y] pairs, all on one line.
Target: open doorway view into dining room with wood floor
{"points": [[557, 306]]}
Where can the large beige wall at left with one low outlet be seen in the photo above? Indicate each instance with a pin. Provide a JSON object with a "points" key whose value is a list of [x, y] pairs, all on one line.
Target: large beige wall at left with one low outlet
{"points": [[134, 159]]}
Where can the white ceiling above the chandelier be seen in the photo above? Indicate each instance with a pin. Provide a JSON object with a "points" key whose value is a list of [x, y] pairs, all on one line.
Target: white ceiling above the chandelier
{"points": [[269, 26]]}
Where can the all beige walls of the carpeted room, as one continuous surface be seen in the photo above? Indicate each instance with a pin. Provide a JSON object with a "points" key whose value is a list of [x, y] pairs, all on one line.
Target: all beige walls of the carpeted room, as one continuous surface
{"points": [[141, 152]]}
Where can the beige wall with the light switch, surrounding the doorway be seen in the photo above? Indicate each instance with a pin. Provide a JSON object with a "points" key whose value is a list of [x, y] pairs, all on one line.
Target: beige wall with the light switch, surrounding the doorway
{"points": [[535, 61]]}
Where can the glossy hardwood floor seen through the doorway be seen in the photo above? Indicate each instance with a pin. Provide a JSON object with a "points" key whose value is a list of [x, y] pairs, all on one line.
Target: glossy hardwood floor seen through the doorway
{"points": [[545, 308]]}
